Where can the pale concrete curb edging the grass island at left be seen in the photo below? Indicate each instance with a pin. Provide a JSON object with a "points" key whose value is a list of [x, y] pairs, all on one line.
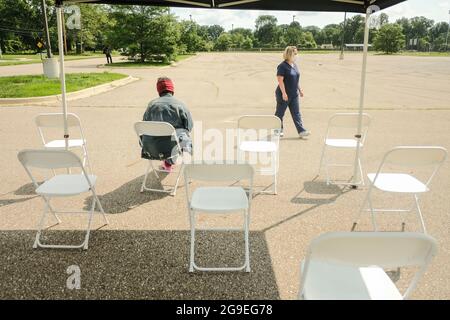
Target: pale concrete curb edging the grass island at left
{"points": [[70, 96]]}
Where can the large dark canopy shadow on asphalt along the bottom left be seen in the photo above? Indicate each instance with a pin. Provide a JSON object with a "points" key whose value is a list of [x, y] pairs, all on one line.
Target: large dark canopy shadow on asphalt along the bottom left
{"points": [[149, 264]]}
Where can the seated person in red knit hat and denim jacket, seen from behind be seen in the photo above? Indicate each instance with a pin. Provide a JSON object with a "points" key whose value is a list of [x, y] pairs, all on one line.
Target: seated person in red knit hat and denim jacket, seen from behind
{"points": [[168, 109]]}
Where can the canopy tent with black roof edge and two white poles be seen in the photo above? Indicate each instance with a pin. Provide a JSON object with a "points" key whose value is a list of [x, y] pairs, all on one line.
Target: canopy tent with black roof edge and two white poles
{"points": [[358, 6]]}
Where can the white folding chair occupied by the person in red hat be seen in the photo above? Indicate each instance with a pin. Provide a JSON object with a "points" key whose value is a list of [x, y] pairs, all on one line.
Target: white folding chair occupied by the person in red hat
{"points": [[160, 129]]}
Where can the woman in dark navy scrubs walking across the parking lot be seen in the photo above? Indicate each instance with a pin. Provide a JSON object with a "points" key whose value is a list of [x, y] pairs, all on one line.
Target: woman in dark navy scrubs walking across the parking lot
{"points": [[288, 92]]}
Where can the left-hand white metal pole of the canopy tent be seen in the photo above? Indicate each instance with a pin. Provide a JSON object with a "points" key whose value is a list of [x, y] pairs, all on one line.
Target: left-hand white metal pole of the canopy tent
{"points": [[62, 76]]}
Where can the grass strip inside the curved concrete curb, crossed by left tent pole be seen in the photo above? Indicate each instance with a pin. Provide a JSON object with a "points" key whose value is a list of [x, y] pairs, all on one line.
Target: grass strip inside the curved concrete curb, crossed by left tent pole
{"points": [[38, 85]]}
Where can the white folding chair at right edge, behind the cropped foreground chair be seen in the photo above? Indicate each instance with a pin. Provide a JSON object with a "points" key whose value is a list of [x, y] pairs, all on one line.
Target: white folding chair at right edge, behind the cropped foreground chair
{"points": [[404, 183]]}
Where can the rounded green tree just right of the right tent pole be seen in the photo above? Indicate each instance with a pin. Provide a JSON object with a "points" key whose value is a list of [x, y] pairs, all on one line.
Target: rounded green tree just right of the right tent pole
{"points": [[389, 39]]}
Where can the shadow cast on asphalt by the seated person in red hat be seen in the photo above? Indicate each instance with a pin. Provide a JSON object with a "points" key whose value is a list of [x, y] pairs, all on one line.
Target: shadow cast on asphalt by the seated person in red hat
{"points": [[128, 196]]}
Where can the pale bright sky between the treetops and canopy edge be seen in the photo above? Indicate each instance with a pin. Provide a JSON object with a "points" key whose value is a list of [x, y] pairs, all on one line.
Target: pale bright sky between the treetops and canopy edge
{"points": [[437, 10]]}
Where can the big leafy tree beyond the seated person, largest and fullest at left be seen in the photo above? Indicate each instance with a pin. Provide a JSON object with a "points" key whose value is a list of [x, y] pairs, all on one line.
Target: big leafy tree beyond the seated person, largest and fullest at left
{"points": [[150, 32]]}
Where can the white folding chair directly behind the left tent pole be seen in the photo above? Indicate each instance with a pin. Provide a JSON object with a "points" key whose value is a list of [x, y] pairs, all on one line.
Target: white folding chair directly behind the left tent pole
{"points": [[56, 120]]}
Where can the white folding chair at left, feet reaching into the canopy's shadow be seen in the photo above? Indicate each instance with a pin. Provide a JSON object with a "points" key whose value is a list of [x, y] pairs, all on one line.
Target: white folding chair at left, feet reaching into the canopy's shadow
{"points": [[60, 186]]}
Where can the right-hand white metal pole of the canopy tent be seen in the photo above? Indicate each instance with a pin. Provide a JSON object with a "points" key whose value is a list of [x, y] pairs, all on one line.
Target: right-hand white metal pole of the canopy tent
{"points": [[356, 177]]}
